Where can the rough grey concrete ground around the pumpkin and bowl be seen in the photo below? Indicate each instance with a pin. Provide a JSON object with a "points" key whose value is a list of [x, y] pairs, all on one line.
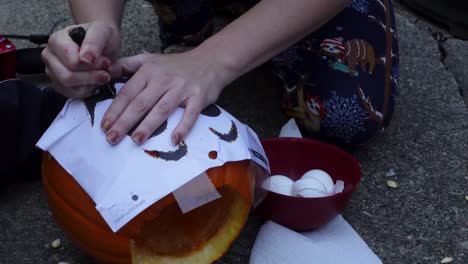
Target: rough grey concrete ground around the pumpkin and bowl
{"points": [[426, 146]]}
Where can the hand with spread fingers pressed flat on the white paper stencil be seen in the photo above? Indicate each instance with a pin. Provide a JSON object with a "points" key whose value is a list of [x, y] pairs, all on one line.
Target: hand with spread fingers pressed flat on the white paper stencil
{"points": [[160, 84]]}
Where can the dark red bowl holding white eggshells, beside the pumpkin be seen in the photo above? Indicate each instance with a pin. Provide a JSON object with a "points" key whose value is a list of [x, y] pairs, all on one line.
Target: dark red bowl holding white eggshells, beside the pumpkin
{"points": [[293, 157]]}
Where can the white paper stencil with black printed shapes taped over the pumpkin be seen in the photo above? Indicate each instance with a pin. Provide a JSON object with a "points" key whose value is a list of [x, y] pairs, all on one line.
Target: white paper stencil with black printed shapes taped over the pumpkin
{"points": [[125, 179]]}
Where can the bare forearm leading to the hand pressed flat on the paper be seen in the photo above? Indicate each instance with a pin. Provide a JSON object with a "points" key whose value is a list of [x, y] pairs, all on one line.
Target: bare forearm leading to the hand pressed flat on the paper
{"points": [[265, 30]]}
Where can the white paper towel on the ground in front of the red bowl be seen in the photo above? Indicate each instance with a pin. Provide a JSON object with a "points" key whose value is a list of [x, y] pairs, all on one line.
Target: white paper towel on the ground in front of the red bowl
{"points": [[333, 243]]}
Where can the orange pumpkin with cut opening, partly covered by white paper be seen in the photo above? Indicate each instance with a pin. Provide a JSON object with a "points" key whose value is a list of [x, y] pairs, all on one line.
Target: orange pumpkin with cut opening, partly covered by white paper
{"points": [[161, 233]]}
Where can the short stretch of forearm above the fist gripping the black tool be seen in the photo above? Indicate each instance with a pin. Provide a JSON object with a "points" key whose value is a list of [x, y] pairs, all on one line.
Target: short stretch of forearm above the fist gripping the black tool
{"points": [[108, 11]]}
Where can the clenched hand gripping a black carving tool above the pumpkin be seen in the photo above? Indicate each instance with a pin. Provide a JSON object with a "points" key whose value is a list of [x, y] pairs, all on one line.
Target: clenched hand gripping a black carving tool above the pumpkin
{"points": [[76, 71]]}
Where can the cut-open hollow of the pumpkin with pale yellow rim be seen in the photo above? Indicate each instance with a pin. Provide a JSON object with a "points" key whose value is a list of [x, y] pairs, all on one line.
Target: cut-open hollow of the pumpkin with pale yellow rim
{"points": [[200, 236]]}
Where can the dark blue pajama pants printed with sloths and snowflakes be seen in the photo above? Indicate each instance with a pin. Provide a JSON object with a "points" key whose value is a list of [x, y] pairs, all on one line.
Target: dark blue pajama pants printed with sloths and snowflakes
{"points": [[338, 83]]}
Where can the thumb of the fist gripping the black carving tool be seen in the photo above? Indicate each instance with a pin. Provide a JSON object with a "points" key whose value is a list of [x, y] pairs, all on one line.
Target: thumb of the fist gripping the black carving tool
{"points": [[98, 35]]}
